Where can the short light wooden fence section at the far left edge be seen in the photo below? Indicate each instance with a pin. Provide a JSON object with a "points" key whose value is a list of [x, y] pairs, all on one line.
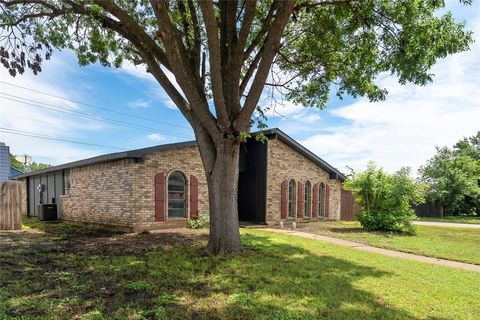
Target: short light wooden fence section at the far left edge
{"points": [[10, 205]]}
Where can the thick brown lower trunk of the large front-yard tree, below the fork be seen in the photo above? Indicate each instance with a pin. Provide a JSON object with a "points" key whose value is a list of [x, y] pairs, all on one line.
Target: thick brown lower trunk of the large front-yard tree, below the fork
{"points": [[221, 168]]}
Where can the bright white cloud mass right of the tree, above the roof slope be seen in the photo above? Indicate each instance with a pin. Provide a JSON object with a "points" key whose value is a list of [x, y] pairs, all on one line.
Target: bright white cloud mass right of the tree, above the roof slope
{"points": [[404, 129]]}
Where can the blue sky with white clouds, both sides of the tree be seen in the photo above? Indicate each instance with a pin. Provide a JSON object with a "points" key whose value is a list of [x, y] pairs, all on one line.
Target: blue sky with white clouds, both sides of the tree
{"points": [[401, 131]]}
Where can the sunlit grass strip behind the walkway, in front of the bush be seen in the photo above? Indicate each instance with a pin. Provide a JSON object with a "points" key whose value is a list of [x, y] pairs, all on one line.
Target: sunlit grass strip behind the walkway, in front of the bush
{"points": [[460, 244]]}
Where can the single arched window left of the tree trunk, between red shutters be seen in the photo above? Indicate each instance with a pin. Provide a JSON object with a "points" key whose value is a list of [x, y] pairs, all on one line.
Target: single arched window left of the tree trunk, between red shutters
{"points": [[177, 195]]}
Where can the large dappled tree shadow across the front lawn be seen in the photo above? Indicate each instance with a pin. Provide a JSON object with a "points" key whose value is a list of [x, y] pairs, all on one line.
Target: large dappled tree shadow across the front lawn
{"points": [[168, 275]]}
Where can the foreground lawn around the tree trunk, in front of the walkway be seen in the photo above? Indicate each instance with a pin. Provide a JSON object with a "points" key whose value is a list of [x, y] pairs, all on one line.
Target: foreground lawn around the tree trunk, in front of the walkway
{"points": [[75, 272]]}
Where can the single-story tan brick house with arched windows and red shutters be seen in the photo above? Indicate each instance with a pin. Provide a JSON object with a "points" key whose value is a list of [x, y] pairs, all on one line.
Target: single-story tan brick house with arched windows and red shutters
{"points": [[162, 186]]}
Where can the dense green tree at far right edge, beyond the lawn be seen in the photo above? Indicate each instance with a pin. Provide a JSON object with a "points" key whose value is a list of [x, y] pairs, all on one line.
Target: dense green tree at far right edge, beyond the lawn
{"points": [[453, 177]]}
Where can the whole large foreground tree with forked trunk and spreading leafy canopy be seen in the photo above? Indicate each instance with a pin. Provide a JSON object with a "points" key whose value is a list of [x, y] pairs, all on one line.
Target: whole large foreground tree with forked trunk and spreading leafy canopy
{"points": [[228, 52]]}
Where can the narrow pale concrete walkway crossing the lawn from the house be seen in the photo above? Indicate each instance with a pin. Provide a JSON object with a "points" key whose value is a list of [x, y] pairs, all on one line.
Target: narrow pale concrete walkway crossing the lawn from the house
{"points": [[386, 252]]}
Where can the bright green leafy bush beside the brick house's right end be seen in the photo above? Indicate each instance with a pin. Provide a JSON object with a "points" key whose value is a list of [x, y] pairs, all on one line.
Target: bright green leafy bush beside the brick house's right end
{"points": [[385, 199]]}
